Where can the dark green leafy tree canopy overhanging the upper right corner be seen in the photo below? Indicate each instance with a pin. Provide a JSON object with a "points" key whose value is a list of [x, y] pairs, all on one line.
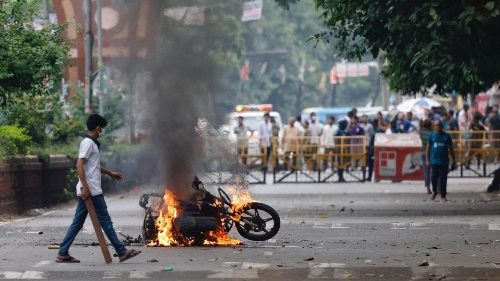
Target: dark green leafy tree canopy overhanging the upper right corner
{"points": [[450, 44]]}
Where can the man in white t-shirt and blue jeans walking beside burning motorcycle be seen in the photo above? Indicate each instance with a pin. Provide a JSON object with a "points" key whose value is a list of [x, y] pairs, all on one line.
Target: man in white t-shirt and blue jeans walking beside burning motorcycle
{"points": [[88, 167]]}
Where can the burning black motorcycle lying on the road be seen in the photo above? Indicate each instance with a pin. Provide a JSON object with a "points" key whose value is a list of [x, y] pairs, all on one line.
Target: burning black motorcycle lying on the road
{"points": [[206, 219]]}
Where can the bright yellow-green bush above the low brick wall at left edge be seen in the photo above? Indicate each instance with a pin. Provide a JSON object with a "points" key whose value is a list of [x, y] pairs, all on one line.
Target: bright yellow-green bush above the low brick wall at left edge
{"points": [[13, 141]]}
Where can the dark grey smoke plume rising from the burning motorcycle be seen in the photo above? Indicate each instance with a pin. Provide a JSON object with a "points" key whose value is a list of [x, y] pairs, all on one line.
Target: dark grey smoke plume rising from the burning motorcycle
{"points": [[180, 78]]}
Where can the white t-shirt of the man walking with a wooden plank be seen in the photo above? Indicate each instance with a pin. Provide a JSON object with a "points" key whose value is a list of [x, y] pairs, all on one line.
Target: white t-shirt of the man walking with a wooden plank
{"points": [[92, 167]]}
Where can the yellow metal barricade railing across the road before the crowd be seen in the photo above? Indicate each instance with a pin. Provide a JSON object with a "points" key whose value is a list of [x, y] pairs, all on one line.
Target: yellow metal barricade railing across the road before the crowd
{"points": [[305, 160]]}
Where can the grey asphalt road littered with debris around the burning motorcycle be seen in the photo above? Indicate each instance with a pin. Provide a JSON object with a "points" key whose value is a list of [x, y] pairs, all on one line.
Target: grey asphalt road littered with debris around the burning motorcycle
{"points": [[381, 231]]}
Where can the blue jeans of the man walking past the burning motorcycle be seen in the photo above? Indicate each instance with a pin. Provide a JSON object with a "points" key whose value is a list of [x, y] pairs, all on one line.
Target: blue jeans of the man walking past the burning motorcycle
{"points": [[102, 214]]}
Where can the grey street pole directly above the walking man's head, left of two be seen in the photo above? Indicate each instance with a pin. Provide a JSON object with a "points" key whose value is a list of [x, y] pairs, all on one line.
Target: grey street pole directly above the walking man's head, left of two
{"points": [[88, 57]]}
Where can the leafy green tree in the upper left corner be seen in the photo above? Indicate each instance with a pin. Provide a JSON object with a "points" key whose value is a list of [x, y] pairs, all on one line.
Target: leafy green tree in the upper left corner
{"points": [[31, 60]]}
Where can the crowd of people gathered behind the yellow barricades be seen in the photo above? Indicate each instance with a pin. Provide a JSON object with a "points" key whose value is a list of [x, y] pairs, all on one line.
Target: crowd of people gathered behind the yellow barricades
{"points": [[311, 137]]}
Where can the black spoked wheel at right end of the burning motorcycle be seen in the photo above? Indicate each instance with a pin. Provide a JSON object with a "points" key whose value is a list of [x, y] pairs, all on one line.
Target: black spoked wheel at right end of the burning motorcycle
{"points": [[265, 218]]}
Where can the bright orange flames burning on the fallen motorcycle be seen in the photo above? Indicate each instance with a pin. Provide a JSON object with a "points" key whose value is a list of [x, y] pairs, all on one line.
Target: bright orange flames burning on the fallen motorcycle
{"points": [[168, 236]]}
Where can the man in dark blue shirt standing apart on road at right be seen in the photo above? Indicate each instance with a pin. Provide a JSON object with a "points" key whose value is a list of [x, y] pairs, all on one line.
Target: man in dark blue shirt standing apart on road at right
{"points": [[439, 146]]}
